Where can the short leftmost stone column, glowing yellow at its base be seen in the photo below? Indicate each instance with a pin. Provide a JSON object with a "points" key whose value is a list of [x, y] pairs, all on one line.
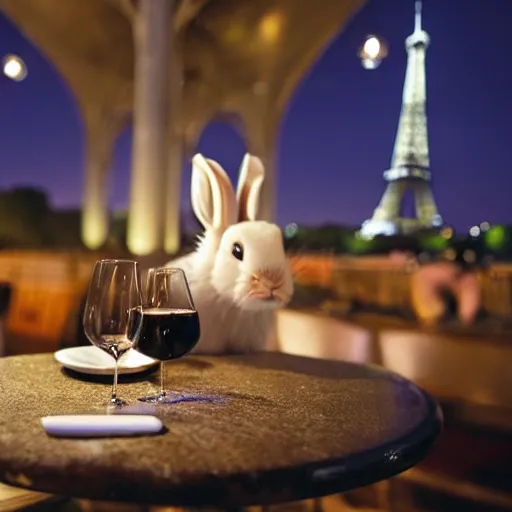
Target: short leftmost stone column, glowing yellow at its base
{"points": [[101, 132]]}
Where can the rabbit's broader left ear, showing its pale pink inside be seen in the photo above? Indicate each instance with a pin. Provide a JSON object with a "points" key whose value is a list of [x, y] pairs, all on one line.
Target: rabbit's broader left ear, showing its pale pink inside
{"points": [[212, 195]]}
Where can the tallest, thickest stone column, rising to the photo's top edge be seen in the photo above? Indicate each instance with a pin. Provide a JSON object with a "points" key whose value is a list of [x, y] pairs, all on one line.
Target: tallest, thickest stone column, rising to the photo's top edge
{"points": [[152, 31]]}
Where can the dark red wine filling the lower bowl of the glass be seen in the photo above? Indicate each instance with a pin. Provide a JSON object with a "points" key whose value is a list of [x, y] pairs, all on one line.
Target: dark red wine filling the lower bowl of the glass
{"points": [[168, 333]]}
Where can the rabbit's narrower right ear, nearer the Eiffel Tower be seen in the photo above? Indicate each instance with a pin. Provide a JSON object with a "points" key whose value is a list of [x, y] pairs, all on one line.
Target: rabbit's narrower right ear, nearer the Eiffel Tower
{"points": [[252, 174]]}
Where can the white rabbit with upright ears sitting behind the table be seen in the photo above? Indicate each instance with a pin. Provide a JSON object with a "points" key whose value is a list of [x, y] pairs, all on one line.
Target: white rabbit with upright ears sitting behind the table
{"points": [[239, 274]]}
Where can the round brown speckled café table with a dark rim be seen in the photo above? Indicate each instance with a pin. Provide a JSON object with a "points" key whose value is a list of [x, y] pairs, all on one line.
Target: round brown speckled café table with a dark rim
{"points": [[284, 428]]}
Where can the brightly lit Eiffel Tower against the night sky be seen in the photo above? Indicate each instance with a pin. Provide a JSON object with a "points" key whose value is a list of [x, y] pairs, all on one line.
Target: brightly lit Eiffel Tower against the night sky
{"points": [[410, 164]]}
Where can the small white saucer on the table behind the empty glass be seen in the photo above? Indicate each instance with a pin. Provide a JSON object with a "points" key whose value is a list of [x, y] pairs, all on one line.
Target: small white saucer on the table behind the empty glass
{"points": [[94, 361]]}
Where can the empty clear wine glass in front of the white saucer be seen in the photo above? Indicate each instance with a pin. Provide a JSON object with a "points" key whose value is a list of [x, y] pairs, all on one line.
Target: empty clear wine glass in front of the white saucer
{"points": [[113, 312]]}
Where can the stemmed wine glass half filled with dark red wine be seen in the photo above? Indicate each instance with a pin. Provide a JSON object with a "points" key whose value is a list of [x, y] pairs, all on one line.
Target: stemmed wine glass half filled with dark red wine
{"points": [[170, 323]]}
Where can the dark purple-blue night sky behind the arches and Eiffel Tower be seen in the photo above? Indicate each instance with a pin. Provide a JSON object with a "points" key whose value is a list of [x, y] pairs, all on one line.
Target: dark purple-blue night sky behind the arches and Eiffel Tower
{"points": [[338, 135]]}
